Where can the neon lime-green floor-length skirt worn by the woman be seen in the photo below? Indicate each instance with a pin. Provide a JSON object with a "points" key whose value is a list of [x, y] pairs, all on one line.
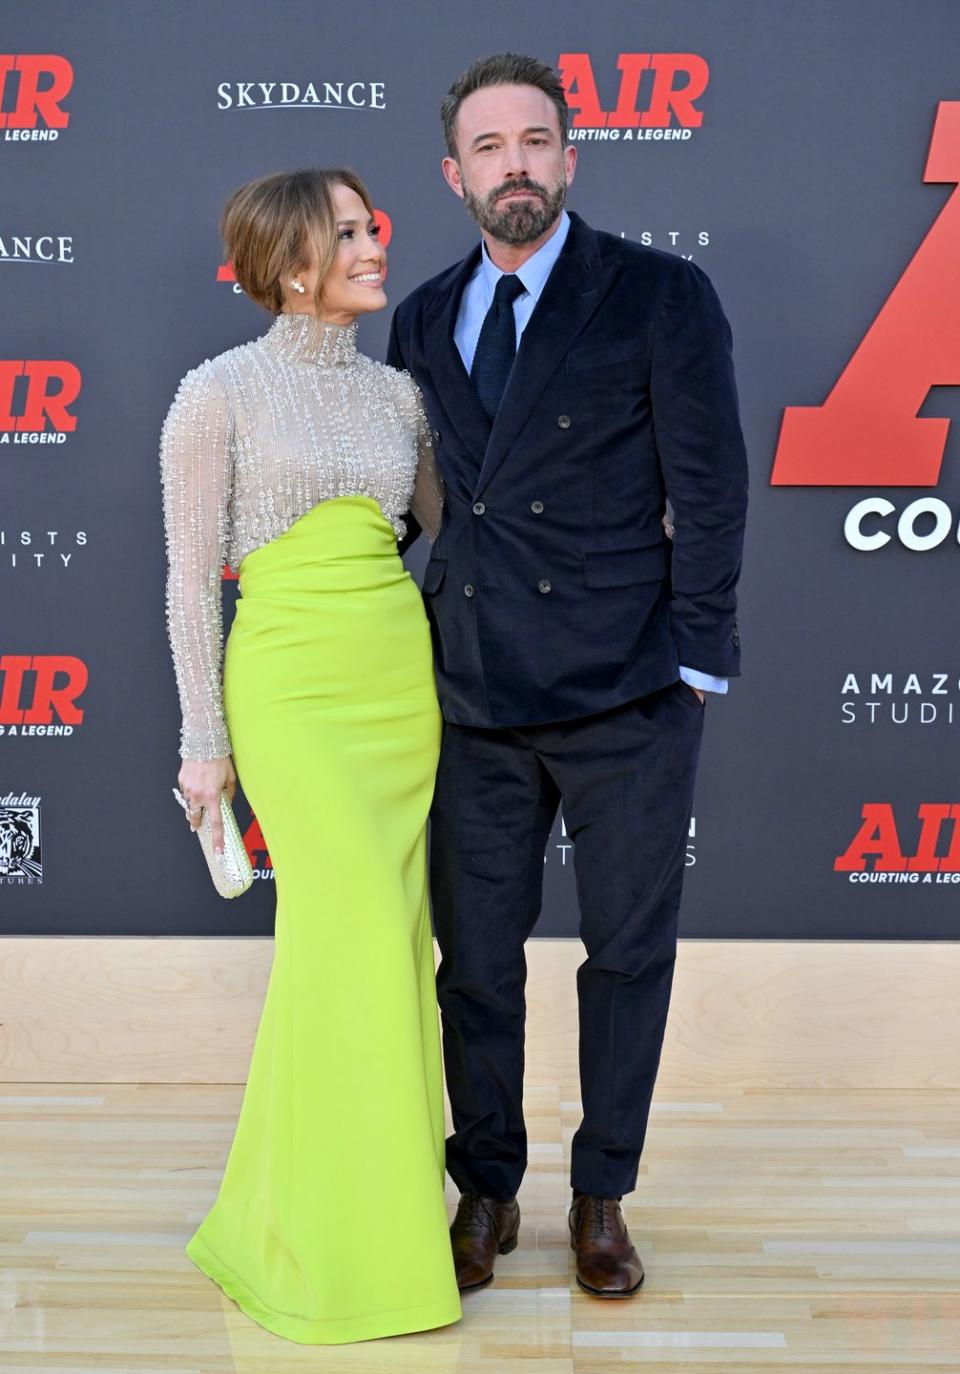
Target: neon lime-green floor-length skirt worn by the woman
{"points": [[330, 1224]]}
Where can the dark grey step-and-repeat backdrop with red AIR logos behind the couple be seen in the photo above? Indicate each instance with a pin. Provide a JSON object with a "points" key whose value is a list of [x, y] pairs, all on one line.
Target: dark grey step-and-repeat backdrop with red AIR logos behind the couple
{"points": [[805, 156]]}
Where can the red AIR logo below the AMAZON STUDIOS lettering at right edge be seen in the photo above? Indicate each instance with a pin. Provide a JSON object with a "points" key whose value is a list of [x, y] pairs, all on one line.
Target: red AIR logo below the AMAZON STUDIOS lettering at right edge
{"points": [[881, 854]]}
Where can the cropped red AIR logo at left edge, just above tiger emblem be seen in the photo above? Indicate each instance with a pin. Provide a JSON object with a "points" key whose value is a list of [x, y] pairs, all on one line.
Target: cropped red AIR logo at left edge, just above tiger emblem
{"points": [[41, 693]]}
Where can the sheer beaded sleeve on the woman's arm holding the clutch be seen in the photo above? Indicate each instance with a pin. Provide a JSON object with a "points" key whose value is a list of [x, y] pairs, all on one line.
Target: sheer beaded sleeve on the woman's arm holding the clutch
{"points": [[197, 471]]}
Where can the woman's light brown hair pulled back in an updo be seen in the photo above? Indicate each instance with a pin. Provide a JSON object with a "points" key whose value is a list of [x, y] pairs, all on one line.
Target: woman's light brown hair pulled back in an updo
{"points": [[270, 225]]}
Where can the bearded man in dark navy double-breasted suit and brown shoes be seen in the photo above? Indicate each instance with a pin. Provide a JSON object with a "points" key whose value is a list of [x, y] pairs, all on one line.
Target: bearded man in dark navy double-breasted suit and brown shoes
{"points": [[575, 383]]}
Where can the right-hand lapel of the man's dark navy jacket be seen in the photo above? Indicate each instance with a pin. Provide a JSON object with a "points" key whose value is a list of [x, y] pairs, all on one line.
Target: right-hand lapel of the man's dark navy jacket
{"points": [[573, 292]]}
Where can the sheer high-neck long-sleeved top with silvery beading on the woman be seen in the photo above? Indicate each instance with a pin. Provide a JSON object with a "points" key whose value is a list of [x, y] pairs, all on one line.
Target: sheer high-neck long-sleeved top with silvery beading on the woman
{"points": [[258, 438]]}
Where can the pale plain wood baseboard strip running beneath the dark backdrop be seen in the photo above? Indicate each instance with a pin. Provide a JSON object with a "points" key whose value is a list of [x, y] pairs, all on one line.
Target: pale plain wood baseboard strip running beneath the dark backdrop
{"points": [[751, 1015]]}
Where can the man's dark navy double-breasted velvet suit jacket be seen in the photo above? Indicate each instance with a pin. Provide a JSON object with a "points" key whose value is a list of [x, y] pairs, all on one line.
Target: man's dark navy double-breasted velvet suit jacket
{"points": [[553, 589]]}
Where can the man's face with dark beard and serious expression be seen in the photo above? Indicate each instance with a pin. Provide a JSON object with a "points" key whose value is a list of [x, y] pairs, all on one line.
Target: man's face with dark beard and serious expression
{"points": [[512, 170]]}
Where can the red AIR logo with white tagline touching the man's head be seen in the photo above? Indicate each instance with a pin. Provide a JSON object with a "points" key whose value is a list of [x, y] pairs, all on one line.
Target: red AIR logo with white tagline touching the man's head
{"points": [[656, 100]]}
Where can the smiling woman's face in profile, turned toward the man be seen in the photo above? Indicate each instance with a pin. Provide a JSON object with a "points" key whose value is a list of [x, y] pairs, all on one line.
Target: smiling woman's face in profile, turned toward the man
{"points": [[355, 282]]}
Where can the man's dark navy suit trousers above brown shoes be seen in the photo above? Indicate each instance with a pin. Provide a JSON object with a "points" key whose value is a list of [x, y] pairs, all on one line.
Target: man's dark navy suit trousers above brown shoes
{"points": [[626, 780]]}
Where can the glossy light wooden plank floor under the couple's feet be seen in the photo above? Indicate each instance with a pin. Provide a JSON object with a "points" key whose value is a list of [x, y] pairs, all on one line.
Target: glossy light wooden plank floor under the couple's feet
{"points": [[803, 1230]]}
